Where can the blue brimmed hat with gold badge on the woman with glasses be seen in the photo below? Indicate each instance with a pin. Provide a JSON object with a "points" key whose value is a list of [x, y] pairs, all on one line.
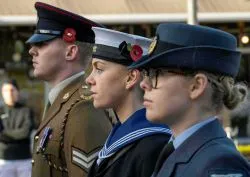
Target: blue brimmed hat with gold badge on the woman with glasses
{"points": [[192, 47]]}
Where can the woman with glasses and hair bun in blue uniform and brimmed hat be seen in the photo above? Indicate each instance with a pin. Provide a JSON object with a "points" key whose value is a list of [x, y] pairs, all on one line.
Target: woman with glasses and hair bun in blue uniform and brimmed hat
{"points": [[188, 80]]}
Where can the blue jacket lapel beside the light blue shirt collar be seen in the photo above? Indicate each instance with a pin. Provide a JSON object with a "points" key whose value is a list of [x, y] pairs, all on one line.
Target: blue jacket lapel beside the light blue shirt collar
{"points": [[189, 147]]}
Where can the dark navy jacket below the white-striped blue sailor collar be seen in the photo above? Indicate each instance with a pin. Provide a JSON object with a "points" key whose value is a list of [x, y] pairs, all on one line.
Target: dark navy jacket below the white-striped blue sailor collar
{"points": [[137, 161]]}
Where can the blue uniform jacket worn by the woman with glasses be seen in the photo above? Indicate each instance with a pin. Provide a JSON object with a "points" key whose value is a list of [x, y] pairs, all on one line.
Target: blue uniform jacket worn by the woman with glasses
{"points": [[206, 153]]}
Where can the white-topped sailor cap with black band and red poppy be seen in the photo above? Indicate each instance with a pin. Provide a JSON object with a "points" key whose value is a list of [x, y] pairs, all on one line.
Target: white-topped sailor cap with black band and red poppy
{"points": [[119, 47]]}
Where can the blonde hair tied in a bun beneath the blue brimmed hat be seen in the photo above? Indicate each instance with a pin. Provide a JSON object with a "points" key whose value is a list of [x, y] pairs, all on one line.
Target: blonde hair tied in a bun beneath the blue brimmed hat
{"points": [[226, 92]]}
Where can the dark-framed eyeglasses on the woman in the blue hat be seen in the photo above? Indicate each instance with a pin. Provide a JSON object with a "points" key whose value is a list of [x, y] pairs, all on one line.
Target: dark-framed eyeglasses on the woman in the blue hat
{"points": [[153, 74]]}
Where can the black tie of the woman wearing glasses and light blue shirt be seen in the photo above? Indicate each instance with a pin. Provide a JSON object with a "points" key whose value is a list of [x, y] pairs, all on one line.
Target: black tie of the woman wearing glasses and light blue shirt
{"points": [[166, 151]]}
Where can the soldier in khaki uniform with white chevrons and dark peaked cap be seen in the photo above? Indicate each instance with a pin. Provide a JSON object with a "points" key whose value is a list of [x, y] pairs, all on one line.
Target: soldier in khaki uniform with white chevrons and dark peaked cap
{"points": [[72, 131]]}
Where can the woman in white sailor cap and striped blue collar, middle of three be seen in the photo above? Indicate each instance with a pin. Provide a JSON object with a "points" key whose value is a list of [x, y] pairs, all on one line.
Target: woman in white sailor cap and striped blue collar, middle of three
{"points": [[134, 144]]}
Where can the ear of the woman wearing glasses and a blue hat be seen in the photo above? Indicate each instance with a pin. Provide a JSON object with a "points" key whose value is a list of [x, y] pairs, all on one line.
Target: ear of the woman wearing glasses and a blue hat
{"points": [[198, 86]]}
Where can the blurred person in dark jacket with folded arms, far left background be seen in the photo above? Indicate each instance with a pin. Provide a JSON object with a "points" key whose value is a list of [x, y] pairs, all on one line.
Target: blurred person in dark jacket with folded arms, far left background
{"points": [[16, 123]]}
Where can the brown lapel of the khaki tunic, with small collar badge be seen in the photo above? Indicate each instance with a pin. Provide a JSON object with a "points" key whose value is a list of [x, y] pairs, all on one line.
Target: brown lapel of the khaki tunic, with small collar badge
{"points": [[63, 97]]}
